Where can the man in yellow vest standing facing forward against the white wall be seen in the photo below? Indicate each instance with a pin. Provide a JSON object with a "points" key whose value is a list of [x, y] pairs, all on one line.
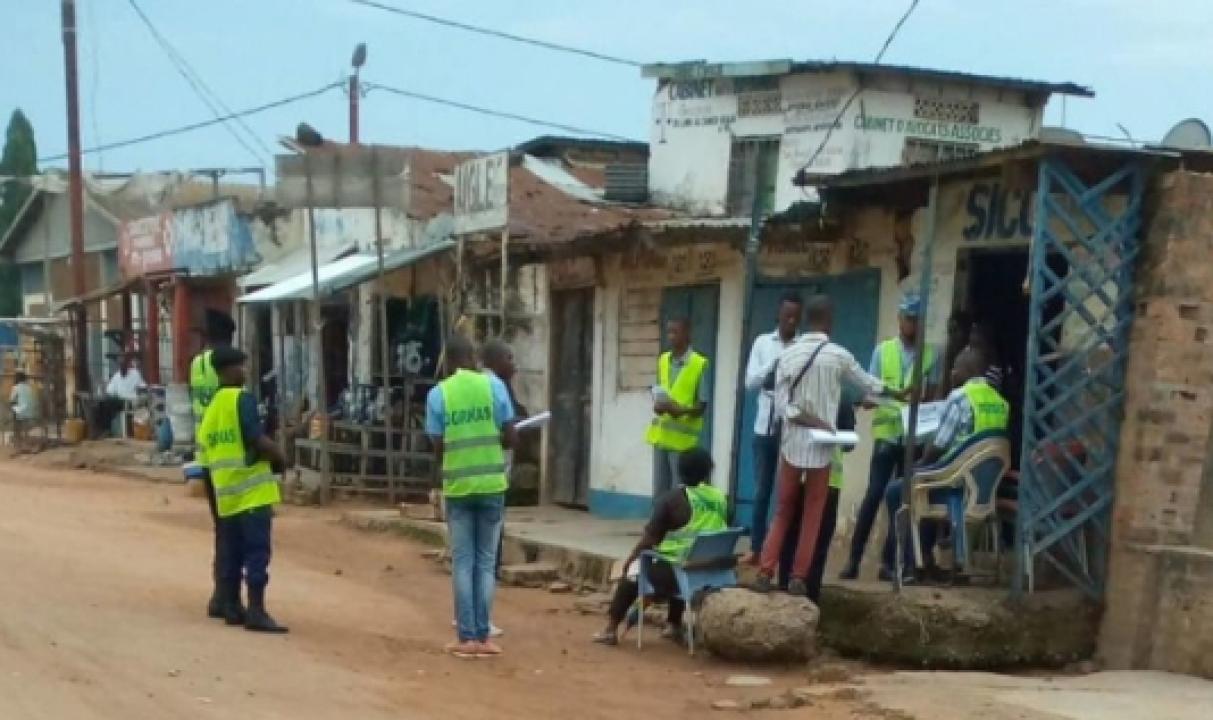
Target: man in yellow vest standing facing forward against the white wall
{"points": [[680, 401]]}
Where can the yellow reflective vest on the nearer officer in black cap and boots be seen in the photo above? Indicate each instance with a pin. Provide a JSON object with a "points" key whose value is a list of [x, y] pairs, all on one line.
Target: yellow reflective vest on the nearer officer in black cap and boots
{"points": [[240, 484]]}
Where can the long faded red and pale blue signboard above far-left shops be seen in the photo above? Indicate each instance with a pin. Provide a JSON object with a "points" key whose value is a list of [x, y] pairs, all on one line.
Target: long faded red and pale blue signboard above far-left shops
{"points": [[206, 241]]}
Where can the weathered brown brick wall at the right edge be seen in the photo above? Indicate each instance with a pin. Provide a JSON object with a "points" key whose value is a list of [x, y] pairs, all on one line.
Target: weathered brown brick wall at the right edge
{"points": [[1160, 597]]}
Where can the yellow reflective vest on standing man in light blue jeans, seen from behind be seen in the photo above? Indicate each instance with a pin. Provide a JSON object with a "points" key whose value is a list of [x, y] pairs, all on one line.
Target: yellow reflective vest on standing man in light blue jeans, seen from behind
{"points": [[474, 461]]}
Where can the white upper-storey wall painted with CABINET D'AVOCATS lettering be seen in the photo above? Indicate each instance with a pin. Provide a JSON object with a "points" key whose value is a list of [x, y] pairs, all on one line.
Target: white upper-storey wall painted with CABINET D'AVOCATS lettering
{"points": [[696, 123]]}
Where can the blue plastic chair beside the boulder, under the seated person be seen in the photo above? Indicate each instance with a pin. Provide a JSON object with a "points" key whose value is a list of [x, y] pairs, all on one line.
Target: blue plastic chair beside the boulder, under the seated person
{"points": [[711, 563]]}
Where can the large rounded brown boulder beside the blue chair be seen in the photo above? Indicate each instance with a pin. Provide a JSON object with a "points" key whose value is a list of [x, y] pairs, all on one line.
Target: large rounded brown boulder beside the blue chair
{"points": [[742, 626]]}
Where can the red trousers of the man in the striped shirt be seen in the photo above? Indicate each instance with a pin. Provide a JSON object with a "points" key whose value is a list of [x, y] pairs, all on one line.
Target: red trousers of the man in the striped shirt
{"points": [[817, 490]]}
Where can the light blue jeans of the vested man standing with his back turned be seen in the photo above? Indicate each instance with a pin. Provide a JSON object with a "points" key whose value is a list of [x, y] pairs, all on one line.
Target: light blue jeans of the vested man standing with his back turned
{"points": [[475, 525]]}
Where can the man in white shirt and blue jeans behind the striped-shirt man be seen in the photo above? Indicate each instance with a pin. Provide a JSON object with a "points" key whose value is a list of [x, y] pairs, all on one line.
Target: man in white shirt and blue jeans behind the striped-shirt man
{"points": [[761, 378]]}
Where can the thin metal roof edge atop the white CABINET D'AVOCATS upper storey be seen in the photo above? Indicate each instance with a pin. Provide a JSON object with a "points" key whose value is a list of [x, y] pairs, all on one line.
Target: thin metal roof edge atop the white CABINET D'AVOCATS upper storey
{"points": [[704, 70]]}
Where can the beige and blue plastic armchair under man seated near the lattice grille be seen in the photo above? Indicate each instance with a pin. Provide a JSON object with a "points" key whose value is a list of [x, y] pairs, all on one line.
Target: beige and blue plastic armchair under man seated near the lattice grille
{"points": [[960, 489]]}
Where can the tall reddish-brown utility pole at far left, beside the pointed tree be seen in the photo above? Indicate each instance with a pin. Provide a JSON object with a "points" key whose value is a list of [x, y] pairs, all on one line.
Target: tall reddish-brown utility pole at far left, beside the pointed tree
{"points": [[76, 196]]}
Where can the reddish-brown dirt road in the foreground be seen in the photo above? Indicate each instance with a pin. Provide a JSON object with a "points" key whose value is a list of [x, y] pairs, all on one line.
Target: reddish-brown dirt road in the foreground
{"points": [[102, 587]]}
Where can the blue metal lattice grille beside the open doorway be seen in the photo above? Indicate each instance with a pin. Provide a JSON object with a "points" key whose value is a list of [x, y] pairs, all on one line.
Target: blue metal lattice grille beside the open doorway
{"points": [[1085, 247]]}
